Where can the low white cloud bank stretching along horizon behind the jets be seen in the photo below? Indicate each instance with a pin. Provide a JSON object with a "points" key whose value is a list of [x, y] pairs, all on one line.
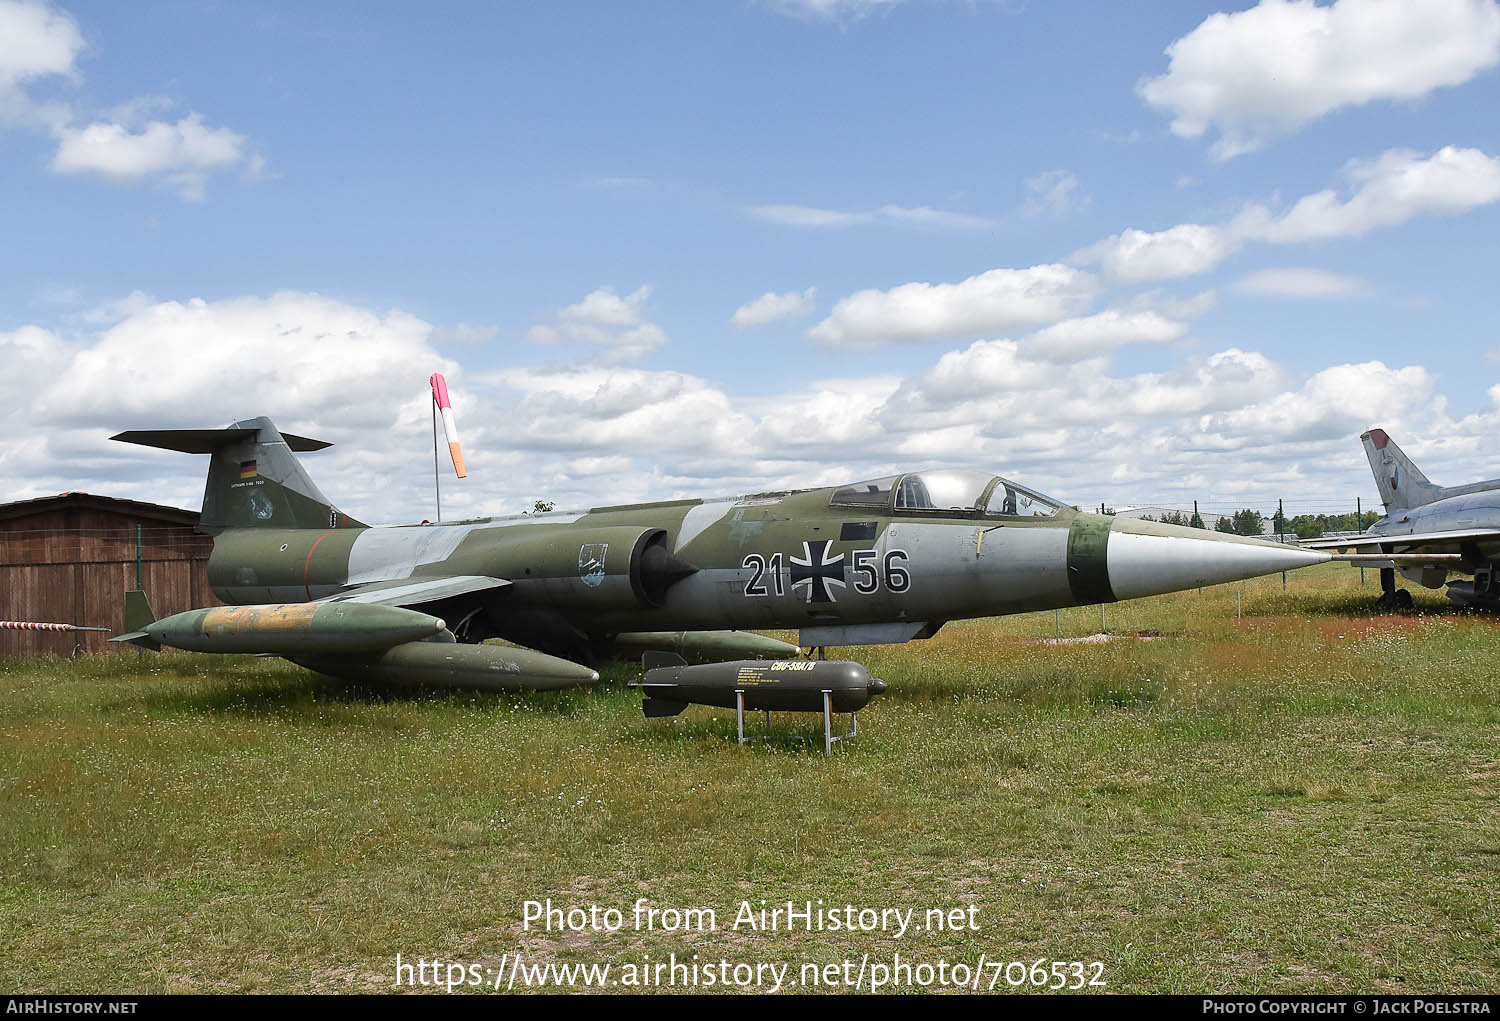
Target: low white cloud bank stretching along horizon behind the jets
{"points": [[601, 436]]}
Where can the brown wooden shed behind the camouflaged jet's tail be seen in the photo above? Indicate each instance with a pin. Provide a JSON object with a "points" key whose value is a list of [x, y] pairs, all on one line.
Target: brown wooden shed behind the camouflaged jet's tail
{"points": [[71, 558]]}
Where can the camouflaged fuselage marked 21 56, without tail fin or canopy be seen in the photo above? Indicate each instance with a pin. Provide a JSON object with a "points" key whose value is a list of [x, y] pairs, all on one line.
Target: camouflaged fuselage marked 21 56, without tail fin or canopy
{"points": [[770, 561]]}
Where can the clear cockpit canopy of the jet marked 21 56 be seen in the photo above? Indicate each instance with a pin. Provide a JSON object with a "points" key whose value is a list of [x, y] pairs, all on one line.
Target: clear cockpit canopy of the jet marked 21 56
{"points": [[947, 491]]}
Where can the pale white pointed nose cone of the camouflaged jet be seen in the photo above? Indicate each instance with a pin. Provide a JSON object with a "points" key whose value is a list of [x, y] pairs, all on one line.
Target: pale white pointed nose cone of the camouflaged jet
{"points": [[1156, 564]]}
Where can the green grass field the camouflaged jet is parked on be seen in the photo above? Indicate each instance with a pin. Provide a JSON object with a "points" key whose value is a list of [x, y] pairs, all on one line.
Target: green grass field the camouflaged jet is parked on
{"points": [[1304, 801]]}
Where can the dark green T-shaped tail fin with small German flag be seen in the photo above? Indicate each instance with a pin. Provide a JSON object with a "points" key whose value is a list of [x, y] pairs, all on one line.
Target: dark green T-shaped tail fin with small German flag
{"points": [[254, 478]]}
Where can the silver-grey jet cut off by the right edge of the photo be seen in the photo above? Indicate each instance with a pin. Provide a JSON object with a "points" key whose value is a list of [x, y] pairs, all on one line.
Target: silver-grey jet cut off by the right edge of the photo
{"points": [[1429, 531]]}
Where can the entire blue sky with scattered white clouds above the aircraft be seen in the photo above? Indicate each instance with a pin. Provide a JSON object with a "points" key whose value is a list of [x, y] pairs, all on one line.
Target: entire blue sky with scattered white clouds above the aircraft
{"points": [[1124, 254]]}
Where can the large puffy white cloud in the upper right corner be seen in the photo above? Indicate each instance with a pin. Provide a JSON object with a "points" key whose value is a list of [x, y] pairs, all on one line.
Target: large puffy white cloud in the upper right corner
{"points": [[1267, 73]]}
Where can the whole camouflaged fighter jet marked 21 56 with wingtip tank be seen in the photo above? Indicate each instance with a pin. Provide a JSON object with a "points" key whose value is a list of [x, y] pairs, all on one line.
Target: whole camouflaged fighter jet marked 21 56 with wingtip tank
{"points": [[880, 561]]}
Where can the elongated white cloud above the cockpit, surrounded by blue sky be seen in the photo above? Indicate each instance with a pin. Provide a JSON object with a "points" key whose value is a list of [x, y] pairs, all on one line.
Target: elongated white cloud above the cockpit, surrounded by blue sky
{"points": [[992, 302]]}
